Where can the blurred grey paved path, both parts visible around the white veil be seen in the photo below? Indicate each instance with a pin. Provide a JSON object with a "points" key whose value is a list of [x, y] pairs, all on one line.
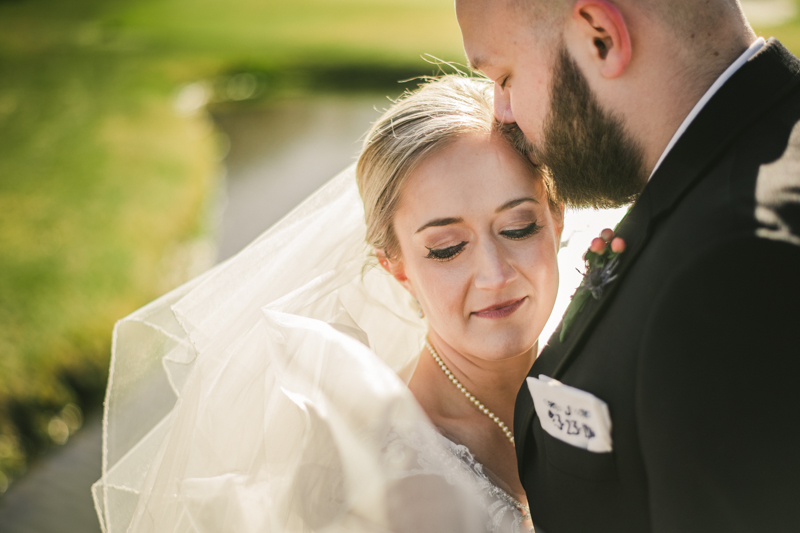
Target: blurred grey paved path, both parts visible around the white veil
{"points": [[278, 156]]}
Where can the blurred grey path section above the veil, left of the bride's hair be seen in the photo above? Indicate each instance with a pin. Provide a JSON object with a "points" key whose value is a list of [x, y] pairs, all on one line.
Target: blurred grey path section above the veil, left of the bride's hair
{"points": [[281, 154]]}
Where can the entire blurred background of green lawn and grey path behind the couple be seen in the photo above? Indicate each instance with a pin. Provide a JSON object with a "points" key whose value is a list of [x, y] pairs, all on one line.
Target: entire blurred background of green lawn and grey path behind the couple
{"points": [[141, 141]]}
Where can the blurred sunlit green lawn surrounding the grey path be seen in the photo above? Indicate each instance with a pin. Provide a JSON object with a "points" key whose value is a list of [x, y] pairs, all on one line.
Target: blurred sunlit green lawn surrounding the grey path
{"points": [[104, 187]]}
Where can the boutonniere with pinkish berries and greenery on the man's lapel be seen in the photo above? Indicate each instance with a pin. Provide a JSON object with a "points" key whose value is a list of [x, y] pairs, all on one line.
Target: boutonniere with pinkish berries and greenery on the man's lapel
{"points": [[602, 260]]}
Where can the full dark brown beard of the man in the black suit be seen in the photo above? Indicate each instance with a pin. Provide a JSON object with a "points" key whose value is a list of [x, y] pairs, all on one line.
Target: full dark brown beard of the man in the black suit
{"points": [[592, 160]]}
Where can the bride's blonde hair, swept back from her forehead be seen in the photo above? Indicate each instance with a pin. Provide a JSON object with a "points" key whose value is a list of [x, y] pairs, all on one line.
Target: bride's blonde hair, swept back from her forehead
{"points": [[416, 126]]}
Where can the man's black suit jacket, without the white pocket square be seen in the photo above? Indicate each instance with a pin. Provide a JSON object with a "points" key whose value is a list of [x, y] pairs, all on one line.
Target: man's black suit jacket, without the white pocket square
{"points": [[696, 347]]}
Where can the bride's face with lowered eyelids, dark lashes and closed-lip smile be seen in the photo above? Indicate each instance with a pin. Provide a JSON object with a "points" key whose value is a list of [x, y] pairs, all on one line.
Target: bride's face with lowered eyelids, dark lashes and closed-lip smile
{"points": [[478, 246]]}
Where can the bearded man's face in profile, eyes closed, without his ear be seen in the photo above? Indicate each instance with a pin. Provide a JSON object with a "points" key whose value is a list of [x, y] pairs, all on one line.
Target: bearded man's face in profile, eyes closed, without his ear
{"points": [[594, 162]]}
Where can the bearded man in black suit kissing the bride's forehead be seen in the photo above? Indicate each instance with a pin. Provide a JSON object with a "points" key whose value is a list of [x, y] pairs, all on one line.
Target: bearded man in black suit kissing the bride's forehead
{"points": [[683, 356]]}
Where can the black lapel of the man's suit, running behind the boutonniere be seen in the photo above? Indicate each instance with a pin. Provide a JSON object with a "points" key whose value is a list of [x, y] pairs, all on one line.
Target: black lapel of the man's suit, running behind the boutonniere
{"points": [[760, 84]]}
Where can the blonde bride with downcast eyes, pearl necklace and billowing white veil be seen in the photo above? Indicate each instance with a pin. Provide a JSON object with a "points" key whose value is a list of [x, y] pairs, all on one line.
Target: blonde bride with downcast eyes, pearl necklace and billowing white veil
{"points": [[300, 387]]}
